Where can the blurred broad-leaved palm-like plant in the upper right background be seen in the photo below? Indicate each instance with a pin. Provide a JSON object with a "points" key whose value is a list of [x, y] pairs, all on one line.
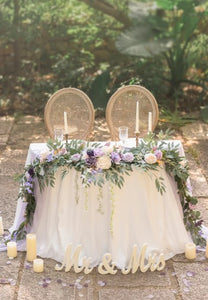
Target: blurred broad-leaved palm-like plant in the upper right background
{"points": [[169, 29]]}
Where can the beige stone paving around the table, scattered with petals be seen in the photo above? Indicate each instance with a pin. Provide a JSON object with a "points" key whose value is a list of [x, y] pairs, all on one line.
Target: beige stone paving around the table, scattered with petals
{"points": [[181, 279]]}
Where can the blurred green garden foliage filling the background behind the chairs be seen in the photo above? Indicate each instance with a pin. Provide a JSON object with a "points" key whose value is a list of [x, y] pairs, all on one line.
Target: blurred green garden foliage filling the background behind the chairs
{"points": [[98, 46]]}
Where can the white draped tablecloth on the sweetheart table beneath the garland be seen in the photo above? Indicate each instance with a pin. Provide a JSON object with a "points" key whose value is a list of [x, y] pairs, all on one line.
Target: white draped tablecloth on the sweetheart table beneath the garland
{"points": [[141, 215]]}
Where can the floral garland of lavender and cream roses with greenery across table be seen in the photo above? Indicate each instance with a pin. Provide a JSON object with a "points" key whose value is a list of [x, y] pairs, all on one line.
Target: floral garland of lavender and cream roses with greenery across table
{"points": [[97, 164]]}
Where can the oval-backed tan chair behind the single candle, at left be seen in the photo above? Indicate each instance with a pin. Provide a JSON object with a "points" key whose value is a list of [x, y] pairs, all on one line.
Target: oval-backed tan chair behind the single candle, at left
{"points": [[79, 109]]}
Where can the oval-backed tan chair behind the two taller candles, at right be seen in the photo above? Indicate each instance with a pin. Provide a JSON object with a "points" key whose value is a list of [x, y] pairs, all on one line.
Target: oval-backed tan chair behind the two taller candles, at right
{"points": [[121, 110]]}
